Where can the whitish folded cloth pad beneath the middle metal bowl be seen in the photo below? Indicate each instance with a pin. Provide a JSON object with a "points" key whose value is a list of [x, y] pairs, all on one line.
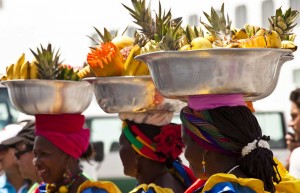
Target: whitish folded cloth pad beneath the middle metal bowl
{"points": [[151, 118]]}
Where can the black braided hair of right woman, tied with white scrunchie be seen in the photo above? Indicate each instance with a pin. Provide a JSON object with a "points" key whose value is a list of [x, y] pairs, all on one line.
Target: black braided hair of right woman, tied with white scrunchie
{"points": [[241, 127]]}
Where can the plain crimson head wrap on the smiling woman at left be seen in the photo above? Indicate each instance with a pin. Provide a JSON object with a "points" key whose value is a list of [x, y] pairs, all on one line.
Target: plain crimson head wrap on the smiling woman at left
{"points": [[65, 131]]}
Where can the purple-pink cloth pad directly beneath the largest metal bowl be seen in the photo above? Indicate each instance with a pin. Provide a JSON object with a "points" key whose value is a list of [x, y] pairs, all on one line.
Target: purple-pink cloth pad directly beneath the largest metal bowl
{"points": [[211, 101]]}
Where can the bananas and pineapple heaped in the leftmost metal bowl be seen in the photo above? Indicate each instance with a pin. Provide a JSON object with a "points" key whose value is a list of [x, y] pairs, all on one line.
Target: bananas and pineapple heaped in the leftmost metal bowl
{"points": [[46, 65]]}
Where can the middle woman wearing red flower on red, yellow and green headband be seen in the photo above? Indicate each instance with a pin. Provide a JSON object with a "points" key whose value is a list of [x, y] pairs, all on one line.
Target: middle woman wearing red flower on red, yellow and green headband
{"points": [[149, 149]]}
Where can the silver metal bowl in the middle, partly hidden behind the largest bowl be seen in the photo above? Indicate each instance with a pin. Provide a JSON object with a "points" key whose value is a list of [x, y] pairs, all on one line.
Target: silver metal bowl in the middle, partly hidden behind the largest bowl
{"points": [[130, 94]]}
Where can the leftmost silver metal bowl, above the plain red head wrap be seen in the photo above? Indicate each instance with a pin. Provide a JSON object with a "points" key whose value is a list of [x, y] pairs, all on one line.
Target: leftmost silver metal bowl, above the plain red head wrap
{"points": [[49, 96]]}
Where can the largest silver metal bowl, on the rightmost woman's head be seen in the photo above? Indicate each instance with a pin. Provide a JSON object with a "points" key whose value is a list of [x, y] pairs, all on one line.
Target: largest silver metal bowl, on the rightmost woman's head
{"points": [[252, 72]]}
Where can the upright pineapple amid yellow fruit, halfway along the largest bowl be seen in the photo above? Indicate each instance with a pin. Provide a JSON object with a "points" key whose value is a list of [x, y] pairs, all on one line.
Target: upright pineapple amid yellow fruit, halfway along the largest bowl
{"points": [[219, 27]]}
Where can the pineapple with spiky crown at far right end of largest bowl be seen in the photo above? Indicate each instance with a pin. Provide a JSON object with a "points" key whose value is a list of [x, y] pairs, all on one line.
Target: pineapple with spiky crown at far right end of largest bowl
{"points": [[283, 23]]}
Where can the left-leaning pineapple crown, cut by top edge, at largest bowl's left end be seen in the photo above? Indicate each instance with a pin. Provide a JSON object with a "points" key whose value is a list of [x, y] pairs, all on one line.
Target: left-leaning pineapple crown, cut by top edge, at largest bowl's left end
{"points": [[142, 16]]}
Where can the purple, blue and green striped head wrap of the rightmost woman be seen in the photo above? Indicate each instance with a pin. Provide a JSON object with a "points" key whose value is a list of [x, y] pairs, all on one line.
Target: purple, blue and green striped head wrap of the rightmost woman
{"points": [[199, 125]]}
